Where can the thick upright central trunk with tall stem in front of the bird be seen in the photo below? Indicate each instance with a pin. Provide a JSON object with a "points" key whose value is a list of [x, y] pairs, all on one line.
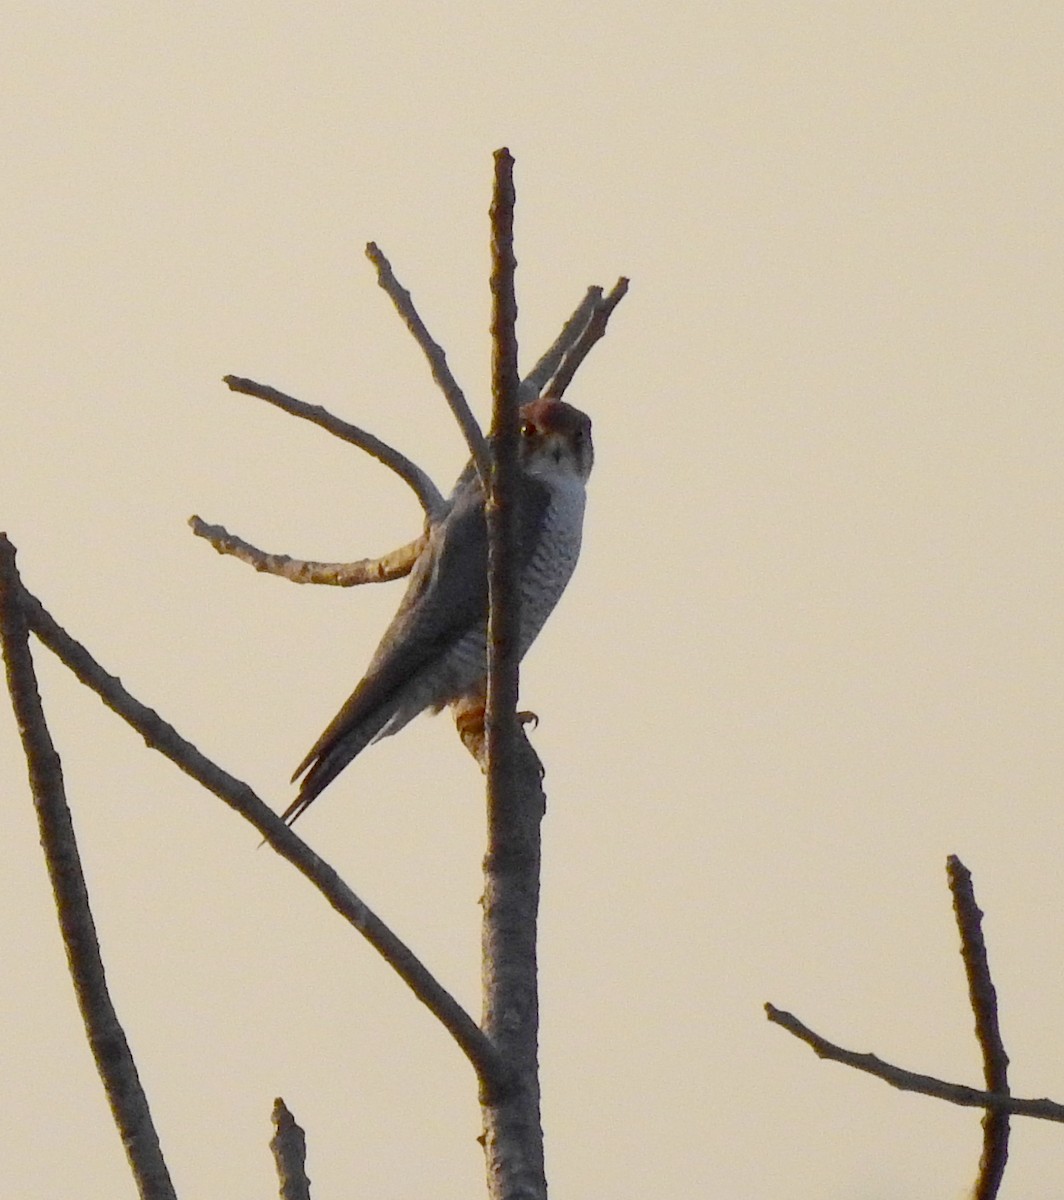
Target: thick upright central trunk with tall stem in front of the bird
{"points": [[513, 1132]]}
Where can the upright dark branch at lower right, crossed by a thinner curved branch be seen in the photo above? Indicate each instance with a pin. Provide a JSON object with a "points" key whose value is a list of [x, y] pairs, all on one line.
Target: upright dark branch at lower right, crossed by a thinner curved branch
{"points": [[988, 1031]]}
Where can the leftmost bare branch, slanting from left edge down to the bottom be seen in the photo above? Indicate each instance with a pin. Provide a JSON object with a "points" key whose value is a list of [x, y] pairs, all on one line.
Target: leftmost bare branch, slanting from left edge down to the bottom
{"points": [[107, 1039]]}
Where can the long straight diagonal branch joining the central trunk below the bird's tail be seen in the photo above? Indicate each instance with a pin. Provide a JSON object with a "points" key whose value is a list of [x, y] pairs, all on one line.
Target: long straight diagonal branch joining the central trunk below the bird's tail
{"points": [[163, 737]]}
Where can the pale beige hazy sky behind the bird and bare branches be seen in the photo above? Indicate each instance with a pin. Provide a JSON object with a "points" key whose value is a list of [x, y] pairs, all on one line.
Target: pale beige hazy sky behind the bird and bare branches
{"points": [[814, 645]]}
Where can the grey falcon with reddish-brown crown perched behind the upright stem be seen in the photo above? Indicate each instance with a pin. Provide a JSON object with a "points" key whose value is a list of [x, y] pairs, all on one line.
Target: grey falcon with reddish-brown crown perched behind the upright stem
{"points": [[435, 651]]}
